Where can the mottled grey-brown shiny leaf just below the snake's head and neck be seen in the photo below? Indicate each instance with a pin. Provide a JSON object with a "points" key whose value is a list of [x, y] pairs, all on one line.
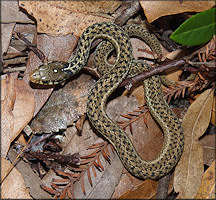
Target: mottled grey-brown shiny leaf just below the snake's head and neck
{"points": [[64, 106]]}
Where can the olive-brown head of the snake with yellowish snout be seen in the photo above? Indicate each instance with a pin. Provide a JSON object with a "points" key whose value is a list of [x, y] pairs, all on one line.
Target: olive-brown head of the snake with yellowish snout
{"points": [[49, 73]]}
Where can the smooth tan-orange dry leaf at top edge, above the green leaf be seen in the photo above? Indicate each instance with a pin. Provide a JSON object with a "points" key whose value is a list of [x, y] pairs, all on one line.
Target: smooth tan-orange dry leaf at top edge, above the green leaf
{"points": [[155, 9]]}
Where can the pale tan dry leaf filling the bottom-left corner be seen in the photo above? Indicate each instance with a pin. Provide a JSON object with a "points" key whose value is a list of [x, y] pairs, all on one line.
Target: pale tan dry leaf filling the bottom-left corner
{"points": [[13, 186]]}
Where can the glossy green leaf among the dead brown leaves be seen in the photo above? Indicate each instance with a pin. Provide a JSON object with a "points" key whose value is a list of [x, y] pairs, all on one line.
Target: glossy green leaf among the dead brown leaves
{"points": [[197, 30]]}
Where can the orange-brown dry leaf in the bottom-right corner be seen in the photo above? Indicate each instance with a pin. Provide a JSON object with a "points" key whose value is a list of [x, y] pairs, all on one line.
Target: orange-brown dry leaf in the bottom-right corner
{"points": [[207, 188]]}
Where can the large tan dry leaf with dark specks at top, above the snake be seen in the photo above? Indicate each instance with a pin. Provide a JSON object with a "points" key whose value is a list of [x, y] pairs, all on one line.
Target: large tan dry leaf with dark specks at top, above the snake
{"points": [[64, 17]]}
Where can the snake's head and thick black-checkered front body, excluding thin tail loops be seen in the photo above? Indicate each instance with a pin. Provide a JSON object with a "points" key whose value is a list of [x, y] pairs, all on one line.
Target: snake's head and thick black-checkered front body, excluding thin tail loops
{"points": [[56, 72]]}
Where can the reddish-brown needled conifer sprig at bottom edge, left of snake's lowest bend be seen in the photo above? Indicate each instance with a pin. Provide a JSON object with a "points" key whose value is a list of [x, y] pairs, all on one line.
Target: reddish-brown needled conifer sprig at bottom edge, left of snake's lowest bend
{"points": [[62, 188]]}
